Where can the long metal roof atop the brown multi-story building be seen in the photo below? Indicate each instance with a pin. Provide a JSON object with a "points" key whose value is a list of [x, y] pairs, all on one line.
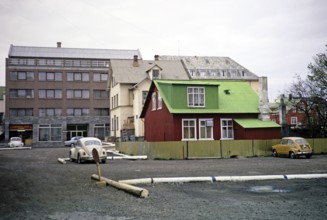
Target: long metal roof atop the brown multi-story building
{"points": [[61, 52]]}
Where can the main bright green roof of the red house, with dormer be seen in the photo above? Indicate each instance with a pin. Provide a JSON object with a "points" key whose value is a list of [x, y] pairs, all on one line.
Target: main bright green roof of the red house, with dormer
{"points": [[241, 98]]}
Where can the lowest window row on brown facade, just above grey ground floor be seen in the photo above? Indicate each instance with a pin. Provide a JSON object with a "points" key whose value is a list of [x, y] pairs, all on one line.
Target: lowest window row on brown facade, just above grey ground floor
{"points": [[44, 112]]}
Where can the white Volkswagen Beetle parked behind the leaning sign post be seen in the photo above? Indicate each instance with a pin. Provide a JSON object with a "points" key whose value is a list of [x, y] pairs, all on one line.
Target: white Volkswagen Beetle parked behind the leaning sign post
{"points": [[82, 150]]}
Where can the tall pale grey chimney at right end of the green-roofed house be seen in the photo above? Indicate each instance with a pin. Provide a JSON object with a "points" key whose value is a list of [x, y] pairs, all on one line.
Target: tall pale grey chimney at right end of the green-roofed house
{"points": [[263, 99]]}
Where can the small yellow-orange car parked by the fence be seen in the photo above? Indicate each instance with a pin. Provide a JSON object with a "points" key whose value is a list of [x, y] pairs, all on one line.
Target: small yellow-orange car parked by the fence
{"points": [[292, 147]]}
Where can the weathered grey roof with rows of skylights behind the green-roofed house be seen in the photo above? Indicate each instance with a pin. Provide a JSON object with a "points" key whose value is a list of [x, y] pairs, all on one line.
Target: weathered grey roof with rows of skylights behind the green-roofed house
{"points": [[212, 66]]}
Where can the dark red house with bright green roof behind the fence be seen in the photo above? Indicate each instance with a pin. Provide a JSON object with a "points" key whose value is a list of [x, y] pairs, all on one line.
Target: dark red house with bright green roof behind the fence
{"points": [[204, 110]]}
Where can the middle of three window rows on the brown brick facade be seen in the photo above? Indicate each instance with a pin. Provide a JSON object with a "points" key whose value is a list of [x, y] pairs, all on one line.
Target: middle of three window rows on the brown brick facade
{"points": [[57, 93]]}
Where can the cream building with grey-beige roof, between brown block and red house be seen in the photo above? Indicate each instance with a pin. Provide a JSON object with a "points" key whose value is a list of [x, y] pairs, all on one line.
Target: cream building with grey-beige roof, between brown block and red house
{"points": [[129, 82]]}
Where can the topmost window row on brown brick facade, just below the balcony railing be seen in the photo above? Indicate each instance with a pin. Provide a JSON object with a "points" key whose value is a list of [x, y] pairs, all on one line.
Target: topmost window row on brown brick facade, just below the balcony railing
{"points": [[57, 76]]}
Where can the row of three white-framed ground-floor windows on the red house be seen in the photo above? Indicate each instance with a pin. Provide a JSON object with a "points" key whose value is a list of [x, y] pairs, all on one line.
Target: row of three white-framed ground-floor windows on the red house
{"points": [[190, 130]]}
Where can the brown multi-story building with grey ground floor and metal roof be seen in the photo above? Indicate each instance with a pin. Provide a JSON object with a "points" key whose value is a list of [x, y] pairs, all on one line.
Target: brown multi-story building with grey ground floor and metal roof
{"points": [[55, 93]]}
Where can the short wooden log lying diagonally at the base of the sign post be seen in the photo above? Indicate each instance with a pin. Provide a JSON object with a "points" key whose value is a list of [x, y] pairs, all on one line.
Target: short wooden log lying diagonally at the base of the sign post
{"points": [[140, 192]]}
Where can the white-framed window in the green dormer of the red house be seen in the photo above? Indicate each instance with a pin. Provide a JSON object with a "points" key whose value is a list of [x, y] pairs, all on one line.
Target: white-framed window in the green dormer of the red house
{"points": [[196, 97]]}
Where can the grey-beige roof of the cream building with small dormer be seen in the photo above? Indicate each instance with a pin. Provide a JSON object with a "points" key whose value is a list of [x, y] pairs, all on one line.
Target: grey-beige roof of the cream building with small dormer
{"points": [[125, 72]]}
